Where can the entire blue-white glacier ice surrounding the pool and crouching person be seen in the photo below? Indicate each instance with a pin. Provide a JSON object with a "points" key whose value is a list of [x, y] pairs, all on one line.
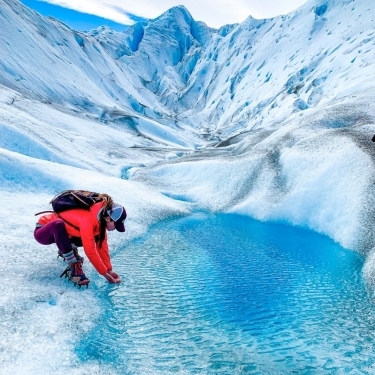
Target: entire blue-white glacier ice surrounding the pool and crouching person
{"points": [[269, 118]]}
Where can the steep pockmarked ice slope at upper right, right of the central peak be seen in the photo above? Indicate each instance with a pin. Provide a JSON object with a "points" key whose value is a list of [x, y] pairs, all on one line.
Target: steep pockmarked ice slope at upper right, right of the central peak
{"points": [[264, 70]]}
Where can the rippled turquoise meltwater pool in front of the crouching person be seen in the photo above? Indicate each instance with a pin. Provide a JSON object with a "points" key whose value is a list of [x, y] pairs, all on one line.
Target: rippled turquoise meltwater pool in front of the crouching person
{"points": [[225, 294]]}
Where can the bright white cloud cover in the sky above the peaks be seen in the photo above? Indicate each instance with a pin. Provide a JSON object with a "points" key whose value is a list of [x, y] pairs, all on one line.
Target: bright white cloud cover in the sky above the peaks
{"points": [[214, 14]]}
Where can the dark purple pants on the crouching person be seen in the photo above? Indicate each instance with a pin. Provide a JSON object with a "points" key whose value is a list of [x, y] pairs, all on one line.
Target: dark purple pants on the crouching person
{"points": [[54, 232]]}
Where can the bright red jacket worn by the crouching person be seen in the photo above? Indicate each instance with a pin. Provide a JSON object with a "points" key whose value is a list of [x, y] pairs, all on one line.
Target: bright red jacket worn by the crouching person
{"points": [[89, 227]]}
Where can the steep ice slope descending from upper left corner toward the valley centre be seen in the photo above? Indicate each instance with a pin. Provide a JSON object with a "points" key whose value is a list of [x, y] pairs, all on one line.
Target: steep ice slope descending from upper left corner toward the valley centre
{"points": [[44, 60]]}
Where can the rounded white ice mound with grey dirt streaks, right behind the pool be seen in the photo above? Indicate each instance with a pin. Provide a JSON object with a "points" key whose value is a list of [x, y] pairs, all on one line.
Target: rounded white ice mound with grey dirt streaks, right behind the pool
{"points": [[309, 173]]}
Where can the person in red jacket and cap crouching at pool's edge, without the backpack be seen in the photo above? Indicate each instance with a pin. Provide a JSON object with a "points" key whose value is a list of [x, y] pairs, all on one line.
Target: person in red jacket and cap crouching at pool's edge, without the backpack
{"points": [[87, 228]]}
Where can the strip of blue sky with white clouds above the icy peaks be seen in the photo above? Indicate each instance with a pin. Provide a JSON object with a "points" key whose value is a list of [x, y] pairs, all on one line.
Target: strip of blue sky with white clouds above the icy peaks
{"points": [[88, 14]]}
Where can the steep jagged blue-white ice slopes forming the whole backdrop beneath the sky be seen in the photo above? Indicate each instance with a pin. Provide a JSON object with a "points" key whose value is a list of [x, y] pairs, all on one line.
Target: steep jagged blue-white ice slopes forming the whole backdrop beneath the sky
{"points": [[222, 82]]}
